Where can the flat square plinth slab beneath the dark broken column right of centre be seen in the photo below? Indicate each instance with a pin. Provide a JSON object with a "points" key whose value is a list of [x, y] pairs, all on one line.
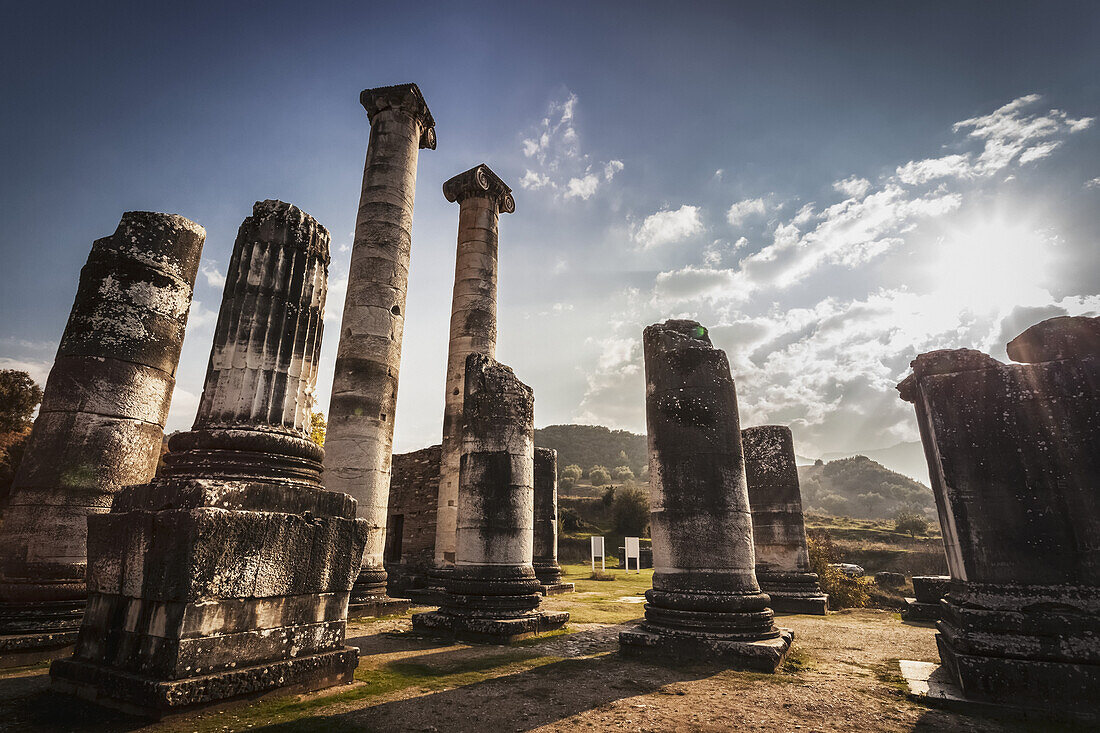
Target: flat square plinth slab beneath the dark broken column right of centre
{"points": [[765, 655]]}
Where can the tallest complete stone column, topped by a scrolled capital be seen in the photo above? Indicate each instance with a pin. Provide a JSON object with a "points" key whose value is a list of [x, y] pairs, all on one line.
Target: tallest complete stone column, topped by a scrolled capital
{"points": [[365, 386]]}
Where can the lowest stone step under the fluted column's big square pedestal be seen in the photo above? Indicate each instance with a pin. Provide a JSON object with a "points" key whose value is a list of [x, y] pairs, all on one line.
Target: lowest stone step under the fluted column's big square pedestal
{"points": [[156, 698]]}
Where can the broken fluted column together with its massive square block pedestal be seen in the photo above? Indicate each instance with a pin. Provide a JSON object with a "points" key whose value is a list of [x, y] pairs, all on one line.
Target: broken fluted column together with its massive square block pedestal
{"points": [[229, 575]]}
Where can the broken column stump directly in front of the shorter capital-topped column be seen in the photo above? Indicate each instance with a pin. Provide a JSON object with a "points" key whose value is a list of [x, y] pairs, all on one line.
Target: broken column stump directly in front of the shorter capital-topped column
{"points": [[492, 593]]}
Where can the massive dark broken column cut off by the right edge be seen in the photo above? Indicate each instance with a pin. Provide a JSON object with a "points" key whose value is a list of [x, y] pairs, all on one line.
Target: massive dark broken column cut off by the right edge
{"points": [[1015, 460]]}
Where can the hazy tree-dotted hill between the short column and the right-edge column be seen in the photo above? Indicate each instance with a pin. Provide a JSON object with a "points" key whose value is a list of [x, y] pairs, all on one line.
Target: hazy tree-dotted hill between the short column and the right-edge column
{"points": [[862, 488]]}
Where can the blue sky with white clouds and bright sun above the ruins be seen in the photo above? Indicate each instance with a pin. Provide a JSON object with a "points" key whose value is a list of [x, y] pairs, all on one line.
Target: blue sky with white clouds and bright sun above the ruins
{"points": [[831, 188]]}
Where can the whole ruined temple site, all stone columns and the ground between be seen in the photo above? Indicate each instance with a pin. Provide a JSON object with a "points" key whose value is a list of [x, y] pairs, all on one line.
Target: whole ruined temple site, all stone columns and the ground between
{"points": [[254, 578]]}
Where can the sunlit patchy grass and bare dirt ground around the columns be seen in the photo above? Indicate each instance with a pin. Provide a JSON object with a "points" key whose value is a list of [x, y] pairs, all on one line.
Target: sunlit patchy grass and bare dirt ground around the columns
{"points": [[842, 675]]}
